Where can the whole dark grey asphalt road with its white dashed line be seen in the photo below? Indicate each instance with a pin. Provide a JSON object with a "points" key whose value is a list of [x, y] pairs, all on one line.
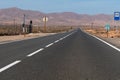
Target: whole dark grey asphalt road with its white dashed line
{"points": [[67, 56]]}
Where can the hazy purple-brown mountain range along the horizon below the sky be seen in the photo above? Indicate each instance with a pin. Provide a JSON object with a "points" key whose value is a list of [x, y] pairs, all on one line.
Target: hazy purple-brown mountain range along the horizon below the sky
{"points": [[66, 18]]}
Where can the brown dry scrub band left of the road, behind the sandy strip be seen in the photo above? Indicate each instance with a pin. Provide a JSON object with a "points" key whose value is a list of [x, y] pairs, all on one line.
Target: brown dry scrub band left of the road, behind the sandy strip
{"points": [[17, 29]]}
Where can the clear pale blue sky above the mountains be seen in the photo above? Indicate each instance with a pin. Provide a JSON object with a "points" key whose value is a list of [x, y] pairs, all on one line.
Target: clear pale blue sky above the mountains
{"points": [[78, 6]]}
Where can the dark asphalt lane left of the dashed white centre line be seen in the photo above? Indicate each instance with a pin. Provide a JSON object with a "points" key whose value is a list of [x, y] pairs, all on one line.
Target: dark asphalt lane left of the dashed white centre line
{"points": [[18, 50]]}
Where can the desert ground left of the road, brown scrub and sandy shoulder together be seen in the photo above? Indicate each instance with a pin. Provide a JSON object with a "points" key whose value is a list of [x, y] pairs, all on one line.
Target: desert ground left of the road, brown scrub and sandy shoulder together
{"points": [[9, 33]]}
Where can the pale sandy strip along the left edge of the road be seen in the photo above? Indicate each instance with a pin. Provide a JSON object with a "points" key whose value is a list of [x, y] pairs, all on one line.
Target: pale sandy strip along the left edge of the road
{"points": [[22, 37]]}
